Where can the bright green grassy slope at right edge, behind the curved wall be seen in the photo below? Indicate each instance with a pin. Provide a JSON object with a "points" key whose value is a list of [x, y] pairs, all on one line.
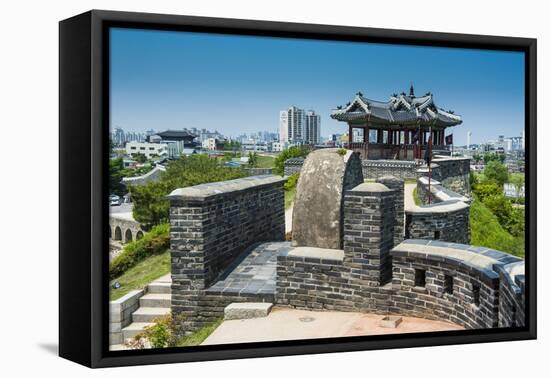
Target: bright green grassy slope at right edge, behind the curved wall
{"points": [[487, 232]]}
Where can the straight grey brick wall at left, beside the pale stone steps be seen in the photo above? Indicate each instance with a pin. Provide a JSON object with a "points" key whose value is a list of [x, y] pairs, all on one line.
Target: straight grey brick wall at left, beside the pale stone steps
{"points": [[210, 226]]}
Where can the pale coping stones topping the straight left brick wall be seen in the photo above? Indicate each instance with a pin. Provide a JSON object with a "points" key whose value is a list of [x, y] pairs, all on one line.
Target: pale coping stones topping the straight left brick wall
{"points": [[203, 192]]}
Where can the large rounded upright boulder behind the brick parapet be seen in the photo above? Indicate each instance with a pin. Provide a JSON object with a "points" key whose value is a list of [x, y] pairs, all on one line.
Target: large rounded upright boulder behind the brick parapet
{"points": [[317, 219]]}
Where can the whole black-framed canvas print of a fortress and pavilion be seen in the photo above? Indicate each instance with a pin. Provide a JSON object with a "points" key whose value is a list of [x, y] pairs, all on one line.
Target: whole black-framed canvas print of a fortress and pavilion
{"points": [[234, 188]]}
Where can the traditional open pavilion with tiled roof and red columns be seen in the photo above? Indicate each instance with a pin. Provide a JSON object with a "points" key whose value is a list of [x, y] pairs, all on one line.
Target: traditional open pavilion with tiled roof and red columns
{"points": [[398, 129]]}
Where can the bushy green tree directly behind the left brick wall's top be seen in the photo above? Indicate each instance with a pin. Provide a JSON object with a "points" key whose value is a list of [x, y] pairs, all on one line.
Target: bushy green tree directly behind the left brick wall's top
{"points": [[150, 205]]}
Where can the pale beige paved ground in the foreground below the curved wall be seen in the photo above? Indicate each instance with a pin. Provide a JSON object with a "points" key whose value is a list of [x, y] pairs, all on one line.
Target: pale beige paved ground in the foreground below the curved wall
{"points": [[289, 324]]}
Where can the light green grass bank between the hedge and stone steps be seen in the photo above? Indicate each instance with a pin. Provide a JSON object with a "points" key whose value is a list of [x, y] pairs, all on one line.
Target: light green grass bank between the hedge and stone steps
{"points": [[141, 274]]}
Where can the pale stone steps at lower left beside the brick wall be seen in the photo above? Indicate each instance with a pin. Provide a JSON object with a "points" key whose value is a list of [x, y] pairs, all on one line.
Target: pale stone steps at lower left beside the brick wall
{"points": [[153, 305]]}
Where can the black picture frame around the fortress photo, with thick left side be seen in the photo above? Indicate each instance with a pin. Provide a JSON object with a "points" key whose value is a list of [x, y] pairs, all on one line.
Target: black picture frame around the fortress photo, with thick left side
{"points": [[83, 166]]}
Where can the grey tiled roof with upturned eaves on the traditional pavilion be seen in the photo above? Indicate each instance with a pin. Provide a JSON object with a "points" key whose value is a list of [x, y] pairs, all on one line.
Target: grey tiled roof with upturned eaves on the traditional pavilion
{"points": [[399, 110]]}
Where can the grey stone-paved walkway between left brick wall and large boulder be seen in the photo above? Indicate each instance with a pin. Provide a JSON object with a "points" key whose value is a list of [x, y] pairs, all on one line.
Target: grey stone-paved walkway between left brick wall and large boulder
{"points": [[254, 273]]}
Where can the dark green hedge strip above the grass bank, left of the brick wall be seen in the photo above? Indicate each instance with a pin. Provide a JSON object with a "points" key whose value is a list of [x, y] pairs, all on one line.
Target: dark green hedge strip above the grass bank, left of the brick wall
{"points": [[154, 242]]}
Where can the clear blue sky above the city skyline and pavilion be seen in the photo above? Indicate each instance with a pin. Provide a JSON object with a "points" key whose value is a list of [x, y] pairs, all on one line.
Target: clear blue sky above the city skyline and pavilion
{"points": [[238, 84]]}
